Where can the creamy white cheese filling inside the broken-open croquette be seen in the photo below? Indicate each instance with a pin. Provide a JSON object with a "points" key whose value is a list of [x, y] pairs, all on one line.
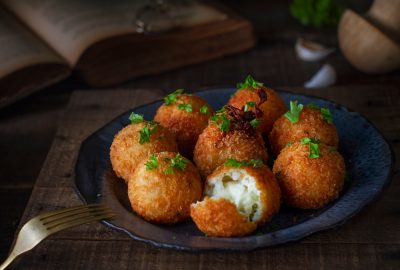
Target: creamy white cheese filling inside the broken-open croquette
{"points": [[239, 188]]}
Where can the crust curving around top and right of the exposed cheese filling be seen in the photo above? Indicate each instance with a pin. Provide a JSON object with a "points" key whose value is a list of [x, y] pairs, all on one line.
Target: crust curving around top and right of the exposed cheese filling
{"points": [[265, 182]]}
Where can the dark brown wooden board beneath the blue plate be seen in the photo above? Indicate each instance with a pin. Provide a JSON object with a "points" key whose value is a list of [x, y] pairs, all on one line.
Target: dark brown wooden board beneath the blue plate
{"points": [[369, 240]]}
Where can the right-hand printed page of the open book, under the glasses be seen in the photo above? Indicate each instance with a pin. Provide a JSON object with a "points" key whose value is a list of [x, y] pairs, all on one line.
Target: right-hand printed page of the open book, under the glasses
{"points": [[71, 26]]}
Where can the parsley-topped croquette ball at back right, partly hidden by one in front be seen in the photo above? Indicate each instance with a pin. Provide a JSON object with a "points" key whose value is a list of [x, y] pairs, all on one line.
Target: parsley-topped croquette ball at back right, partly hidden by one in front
{"points": [[303, 121]]}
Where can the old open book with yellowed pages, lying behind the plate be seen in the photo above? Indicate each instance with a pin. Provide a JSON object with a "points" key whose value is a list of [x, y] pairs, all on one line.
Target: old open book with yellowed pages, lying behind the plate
{"points": [[42, 41]]}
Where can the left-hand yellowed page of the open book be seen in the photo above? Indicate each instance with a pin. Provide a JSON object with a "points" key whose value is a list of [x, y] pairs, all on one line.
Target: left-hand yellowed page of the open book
{"points": [[19, 47]]}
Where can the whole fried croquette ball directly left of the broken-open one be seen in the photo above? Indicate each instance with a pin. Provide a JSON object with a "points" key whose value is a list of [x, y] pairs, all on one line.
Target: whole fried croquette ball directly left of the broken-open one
{"points": [[163, 187]]}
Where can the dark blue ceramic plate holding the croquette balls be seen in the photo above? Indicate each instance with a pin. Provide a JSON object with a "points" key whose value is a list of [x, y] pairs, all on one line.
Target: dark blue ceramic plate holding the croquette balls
{"points": [[369, 162]]}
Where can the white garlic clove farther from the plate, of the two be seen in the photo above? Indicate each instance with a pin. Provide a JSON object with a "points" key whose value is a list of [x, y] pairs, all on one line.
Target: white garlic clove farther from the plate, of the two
{"points": [[310, 51]]}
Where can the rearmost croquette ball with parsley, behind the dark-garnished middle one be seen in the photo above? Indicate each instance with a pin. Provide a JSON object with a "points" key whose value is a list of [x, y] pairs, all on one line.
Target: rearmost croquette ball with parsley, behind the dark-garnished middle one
{"points": [[251, 94]]}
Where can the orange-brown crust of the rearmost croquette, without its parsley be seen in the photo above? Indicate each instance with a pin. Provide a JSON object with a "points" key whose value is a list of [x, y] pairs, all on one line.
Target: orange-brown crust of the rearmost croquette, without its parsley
{"points": [[272, 109]]}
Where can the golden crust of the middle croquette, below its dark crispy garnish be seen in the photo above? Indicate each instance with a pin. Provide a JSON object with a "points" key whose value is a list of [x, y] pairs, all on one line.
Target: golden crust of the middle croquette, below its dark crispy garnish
{"points": [[214, 147]]}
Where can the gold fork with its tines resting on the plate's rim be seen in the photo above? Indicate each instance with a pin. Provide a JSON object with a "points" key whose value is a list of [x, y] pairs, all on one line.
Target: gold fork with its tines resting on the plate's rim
{"points": [[44, 225]]}
